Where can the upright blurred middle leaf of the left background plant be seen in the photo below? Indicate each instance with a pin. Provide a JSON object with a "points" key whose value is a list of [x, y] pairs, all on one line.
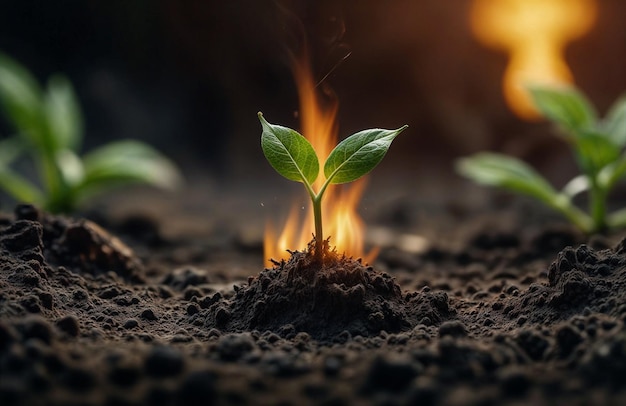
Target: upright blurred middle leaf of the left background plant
{"points": [[63, 115]]}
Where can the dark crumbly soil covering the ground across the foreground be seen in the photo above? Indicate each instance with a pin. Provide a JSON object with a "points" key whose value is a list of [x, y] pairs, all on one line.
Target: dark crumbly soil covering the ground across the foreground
{"points": [[532, 314]]}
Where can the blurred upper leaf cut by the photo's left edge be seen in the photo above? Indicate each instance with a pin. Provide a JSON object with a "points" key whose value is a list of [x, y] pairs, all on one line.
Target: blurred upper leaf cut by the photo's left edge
{"points": [[20, 97]]}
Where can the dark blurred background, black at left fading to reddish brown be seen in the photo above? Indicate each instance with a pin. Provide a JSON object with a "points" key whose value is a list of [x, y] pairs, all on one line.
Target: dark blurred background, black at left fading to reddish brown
{"points": [[189, 76]]}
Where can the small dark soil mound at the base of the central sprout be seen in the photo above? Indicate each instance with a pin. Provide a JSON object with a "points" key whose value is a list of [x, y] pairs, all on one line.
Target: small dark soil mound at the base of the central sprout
{"points": [[333, 300]]}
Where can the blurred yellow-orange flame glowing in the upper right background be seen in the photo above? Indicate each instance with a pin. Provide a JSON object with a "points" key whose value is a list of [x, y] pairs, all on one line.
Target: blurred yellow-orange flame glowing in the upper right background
{"points": [[534, 33]]}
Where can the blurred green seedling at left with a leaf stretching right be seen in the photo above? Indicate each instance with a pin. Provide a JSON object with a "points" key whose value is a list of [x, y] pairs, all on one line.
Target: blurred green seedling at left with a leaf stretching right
{"points": [[48, 125]]}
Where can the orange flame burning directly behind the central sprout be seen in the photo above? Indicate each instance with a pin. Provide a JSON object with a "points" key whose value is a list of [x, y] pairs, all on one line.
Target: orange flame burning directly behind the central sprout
{"points": [[341, 221]]}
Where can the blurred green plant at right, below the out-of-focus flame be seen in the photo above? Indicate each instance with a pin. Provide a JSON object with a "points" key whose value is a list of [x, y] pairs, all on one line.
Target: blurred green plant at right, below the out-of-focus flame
{"points": [[597, 145]]}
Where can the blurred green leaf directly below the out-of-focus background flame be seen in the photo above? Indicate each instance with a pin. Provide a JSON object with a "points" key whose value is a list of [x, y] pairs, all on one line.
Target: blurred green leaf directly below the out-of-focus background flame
{"points": [[565, 106]]}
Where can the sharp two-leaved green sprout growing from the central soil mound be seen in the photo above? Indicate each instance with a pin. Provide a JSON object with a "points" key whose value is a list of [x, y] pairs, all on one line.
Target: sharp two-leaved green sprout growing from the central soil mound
{"points": [[292, 156]]}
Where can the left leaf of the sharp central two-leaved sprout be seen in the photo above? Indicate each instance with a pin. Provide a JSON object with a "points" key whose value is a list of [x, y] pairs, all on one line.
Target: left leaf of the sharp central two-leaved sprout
{"points": [[289, 153]]}
